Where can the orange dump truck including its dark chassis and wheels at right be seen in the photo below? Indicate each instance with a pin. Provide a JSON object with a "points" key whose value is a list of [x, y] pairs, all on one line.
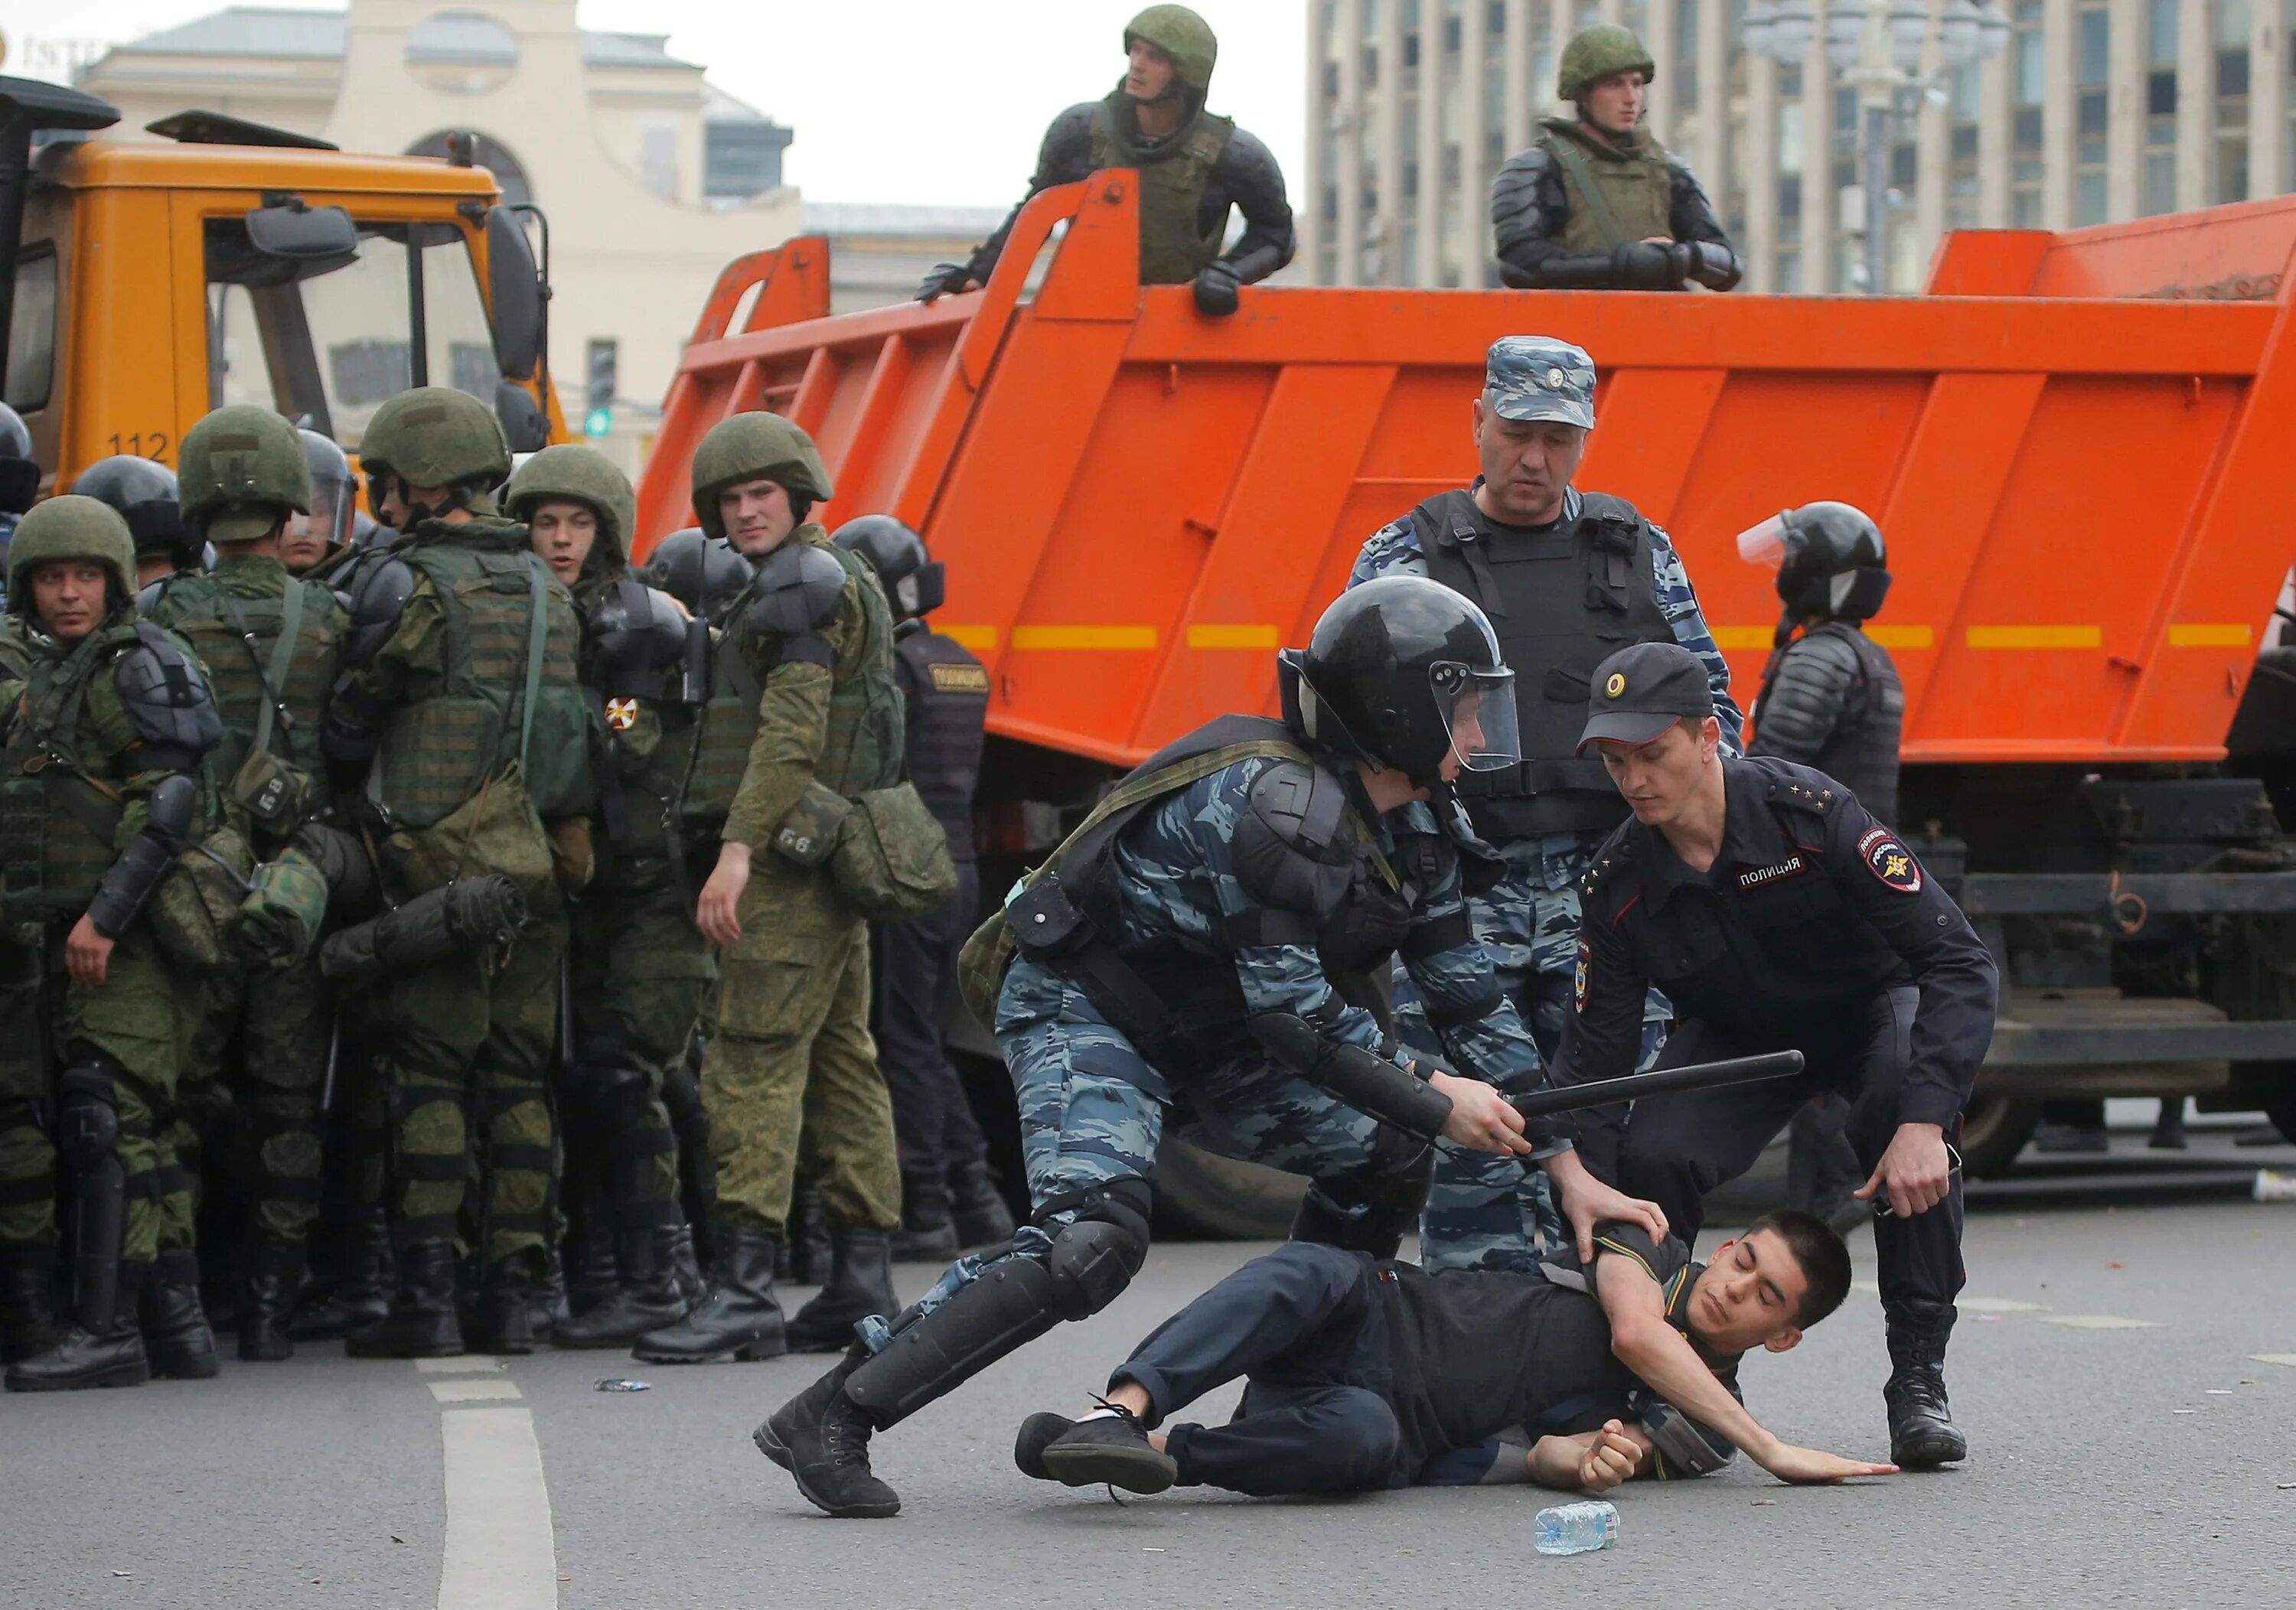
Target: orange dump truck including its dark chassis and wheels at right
{"points": [[2077, 444]]}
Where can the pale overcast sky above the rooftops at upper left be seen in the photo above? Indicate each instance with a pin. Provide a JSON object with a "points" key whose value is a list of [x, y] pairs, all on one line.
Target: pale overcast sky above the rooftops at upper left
{"points": [[892, 100]]}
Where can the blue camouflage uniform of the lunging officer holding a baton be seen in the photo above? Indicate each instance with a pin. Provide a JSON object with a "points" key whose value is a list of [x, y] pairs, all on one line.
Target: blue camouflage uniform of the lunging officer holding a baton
{"points": [[1092, 1106]]}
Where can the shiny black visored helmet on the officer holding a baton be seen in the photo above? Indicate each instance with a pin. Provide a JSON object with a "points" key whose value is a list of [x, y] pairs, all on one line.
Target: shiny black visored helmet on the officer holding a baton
{"points": [[1404, 674]]}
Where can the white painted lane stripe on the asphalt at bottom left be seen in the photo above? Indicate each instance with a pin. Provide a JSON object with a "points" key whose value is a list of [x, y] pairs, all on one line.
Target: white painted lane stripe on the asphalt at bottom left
{"points": [[499, 1551]]}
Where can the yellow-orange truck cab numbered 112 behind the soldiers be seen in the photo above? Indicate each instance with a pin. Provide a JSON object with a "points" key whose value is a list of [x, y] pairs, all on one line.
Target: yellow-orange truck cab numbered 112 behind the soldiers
{"points": [[249, 265]]}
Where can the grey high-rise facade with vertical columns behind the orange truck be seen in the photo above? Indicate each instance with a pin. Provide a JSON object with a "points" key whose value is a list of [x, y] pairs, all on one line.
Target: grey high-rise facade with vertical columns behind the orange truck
{"points": [[2097, 111]]}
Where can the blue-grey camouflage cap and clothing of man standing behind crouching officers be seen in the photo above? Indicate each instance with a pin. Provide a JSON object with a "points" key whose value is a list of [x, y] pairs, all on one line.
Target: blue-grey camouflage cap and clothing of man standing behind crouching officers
{"points": [[1528, 922]]}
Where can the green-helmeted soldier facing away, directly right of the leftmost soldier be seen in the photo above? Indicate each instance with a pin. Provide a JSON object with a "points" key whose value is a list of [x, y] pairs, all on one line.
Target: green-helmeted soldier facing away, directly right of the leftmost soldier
{"points": [[272, 651]]}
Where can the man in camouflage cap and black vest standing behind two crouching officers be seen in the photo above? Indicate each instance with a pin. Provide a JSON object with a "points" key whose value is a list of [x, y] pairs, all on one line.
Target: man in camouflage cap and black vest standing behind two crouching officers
{"points": [[1565, 578]]}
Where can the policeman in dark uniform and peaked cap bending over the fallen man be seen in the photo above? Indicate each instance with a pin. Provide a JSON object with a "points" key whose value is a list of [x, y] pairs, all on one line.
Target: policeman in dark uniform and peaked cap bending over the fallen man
{"points": [[1776, 913]]}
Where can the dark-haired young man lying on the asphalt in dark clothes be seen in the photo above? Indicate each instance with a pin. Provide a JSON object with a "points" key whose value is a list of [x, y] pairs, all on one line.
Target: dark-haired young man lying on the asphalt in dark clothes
{"points": [[1370, 1375]]}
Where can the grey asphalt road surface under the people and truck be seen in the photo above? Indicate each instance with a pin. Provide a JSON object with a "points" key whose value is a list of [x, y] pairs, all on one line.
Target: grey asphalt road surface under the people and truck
{"points": [[2130, 1448]]}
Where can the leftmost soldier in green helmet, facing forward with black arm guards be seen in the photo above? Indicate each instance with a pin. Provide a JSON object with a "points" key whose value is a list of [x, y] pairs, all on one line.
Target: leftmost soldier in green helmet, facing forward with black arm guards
{"points": [[100, 794]]}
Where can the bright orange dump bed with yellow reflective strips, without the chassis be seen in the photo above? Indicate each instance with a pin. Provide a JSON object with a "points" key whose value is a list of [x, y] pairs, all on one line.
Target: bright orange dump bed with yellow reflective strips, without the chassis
{"points": [[2077, 444]]}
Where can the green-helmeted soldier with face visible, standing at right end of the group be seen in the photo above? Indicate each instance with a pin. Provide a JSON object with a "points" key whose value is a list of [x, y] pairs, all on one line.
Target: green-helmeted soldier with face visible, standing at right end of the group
{"points": [[791, 1074]]}
